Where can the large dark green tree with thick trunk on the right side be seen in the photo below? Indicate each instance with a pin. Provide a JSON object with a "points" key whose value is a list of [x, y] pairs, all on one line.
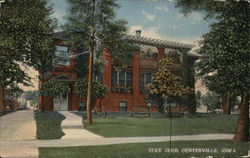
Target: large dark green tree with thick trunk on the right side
{"points": [[225, 49]]}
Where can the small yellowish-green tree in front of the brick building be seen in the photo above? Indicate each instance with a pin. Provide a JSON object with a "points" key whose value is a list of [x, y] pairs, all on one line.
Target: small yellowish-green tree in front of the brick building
{"points": [[166, 85]]}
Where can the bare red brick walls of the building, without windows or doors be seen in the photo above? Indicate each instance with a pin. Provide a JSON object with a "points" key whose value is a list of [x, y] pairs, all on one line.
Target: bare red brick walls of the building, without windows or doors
{"points": [[112, 99]]}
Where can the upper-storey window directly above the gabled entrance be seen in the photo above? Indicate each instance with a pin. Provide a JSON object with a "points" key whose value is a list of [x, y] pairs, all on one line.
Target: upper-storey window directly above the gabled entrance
{"points": [[62, 55]]}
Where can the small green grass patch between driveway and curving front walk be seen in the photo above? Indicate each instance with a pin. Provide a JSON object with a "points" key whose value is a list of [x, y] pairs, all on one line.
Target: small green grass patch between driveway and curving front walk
{"points": [[49, 125]]}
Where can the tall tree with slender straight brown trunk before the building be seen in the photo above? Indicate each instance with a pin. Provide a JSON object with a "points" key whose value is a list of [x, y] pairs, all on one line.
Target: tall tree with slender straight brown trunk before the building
{"points": [[91, 25]]}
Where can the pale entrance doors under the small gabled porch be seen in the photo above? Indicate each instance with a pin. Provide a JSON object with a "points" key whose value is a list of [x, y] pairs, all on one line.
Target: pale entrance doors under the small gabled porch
{"points": [[61, 102]]}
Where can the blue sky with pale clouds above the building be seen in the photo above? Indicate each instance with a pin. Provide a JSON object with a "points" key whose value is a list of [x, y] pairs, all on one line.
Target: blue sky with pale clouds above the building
{"points": [[156, 18]]}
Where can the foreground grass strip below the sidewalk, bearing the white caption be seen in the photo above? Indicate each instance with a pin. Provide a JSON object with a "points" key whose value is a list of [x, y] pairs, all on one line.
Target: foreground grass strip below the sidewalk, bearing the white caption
{"points": [[141, 150]]}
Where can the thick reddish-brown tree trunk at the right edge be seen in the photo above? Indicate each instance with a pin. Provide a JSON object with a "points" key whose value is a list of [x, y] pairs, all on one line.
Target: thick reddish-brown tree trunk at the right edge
{"points": [[242, 130]]}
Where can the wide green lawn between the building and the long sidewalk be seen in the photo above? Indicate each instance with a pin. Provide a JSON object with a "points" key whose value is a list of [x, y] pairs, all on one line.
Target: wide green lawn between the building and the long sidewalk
{"points": [[134, 126]]}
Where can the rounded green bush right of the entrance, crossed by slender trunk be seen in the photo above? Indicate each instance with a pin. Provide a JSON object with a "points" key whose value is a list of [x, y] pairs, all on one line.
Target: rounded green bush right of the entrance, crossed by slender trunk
{"points": [[98, 92]]}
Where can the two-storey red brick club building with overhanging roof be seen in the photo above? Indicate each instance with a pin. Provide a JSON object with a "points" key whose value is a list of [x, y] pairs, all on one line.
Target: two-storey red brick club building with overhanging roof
{"points": [[125, 85]]}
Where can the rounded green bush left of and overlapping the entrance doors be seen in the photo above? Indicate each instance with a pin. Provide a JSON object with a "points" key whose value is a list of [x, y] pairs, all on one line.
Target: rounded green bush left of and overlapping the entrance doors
{"points": [[54, 88]]}
